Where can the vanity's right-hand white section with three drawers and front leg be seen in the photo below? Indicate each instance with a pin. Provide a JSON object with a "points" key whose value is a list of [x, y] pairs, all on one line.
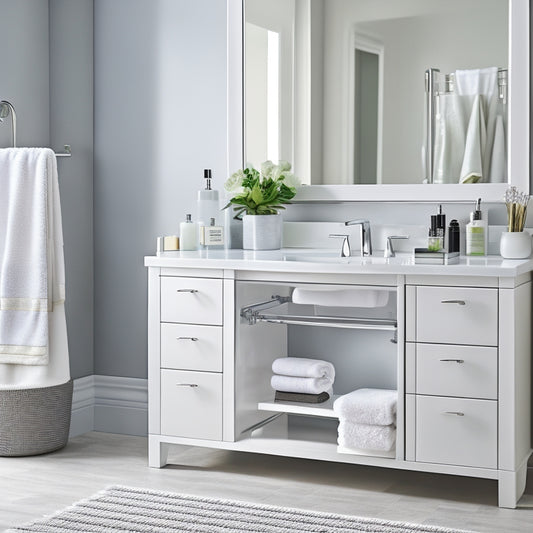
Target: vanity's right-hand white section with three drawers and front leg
{"points": [[468, 357]]}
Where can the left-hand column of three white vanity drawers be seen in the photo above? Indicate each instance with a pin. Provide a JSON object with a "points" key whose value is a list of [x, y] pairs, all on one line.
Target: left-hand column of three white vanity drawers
{"points": [[188, 368]]}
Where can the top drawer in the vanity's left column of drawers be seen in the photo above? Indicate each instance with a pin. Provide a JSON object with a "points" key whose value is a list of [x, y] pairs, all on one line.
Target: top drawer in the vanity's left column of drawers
{"points": [[191, 300]]}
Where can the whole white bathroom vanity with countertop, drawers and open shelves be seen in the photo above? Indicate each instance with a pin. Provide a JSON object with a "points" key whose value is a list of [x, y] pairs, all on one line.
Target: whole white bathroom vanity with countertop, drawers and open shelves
{"points": [[454, 341]]}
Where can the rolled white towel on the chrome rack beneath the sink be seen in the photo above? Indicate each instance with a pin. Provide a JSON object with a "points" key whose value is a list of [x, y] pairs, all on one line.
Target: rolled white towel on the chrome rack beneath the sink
{"points": [[360, 297]]}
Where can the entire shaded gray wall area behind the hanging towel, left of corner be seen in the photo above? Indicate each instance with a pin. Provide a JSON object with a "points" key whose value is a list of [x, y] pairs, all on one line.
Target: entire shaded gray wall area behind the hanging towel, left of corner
{"points": [[47, 76]]}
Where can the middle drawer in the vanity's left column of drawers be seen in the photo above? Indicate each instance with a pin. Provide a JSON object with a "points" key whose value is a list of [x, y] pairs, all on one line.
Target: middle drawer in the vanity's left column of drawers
{"points": [[191, 347]]}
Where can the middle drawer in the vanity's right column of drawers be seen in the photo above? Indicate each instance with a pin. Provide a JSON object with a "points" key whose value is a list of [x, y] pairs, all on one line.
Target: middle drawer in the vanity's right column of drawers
{"points": [[448, 370]]}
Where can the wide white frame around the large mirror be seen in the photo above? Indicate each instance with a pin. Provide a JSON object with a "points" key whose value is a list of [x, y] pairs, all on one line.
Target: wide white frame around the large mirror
{"points": [[518, 133]]}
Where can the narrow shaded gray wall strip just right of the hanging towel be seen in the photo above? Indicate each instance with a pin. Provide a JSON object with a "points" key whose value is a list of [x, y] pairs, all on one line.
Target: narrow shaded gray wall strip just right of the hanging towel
{"points": [[71, 122]]}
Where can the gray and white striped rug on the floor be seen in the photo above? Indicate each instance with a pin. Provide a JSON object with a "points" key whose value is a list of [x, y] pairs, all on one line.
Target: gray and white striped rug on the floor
{"points": [[140, 510]]}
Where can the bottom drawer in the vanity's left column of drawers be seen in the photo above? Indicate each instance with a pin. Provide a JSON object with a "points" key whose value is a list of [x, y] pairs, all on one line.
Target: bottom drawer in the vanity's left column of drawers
{"points": [[191, 404]]}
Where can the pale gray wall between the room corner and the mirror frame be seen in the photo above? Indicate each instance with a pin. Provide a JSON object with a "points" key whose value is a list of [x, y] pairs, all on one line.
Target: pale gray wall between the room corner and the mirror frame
{"points": [[160, 119]]}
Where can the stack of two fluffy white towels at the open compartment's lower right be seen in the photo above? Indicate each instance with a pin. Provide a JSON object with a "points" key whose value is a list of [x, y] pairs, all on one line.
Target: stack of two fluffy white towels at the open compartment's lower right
{"points": [[367, 419]]}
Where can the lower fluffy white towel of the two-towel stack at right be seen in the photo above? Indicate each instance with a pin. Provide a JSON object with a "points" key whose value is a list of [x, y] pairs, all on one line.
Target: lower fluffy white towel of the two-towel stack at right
{"points": [[366, 437]]}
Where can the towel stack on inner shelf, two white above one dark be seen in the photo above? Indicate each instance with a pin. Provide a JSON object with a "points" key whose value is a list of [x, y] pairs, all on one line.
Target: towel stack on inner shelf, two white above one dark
{"points": [[298, 379]]}
